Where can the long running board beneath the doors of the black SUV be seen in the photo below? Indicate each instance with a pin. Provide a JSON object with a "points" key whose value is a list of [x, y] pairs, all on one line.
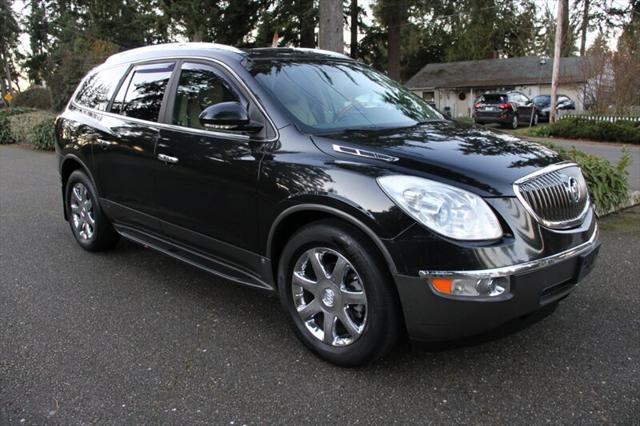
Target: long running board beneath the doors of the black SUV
{"points": [[192, 257]]}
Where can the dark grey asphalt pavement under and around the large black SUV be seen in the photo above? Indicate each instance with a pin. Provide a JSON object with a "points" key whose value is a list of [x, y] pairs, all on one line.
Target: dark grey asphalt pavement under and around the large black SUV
{"points": [[134, 337]]}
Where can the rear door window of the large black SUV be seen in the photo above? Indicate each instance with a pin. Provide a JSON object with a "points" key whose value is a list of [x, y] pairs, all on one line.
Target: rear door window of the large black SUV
{"points": [[140, 96]]}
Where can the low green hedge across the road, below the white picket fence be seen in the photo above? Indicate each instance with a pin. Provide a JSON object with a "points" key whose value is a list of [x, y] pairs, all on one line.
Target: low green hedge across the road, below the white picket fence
{"points": [[577, 128]]}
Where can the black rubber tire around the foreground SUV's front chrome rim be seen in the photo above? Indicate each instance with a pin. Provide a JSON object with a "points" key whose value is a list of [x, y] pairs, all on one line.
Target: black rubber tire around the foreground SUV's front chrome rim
{"points": [[383, 321]]}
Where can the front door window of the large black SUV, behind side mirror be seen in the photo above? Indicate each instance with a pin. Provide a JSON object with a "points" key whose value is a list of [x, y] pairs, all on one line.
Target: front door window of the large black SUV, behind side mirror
{"points": [[199, 87]]}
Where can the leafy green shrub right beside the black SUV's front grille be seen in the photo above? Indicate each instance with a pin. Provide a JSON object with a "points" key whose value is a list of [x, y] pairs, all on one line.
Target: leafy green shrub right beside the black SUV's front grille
{"points": [[608, 183]]}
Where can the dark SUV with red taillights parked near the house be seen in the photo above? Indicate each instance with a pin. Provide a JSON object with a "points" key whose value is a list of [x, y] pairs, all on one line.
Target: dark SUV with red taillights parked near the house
{"points": [[509, 109]]}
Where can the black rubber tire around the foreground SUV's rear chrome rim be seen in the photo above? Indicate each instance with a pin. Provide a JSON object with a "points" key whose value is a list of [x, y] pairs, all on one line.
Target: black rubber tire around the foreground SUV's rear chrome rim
{"points": [[103, 235]]}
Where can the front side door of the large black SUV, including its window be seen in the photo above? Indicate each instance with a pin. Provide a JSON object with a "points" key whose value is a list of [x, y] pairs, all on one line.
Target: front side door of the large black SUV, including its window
{"points": [[206, 190]]}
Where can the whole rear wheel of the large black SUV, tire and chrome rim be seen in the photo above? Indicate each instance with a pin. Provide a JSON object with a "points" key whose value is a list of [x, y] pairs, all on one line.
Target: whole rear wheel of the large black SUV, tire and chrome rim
{"points": [[90, 227]]}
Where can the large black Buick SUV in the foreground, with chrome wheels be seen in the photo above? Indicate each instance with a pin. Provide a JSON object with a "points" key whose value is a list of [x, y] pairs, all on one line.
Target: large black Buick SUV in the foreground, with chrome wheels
{"points": [[316, 178]]}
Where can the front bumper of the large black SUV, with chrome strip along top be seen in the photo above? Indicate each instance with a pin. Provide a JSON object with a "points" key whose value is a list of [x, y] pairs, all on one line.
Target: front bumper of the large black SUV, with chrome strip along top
{"points": [[430, 316]]}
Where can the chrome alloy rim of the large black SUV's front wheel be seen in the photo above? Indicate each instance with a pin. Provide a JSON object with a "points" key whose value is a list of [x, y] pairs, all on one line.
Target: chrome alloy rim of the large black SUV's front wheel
{"points": [[329, 296]]}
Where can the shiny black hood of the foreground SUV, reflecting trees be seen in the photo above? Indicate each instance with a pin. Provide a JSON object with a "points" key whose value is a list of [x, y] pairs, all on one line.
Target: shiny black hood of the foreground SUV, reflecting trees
{"points": [[477, 159]]}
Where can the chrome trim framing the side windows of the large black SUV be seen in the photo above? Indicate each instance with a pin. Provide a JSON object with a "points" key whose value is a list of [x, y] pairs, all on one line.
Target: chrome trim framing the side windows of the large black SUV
{"points": [[187, 129]]}
